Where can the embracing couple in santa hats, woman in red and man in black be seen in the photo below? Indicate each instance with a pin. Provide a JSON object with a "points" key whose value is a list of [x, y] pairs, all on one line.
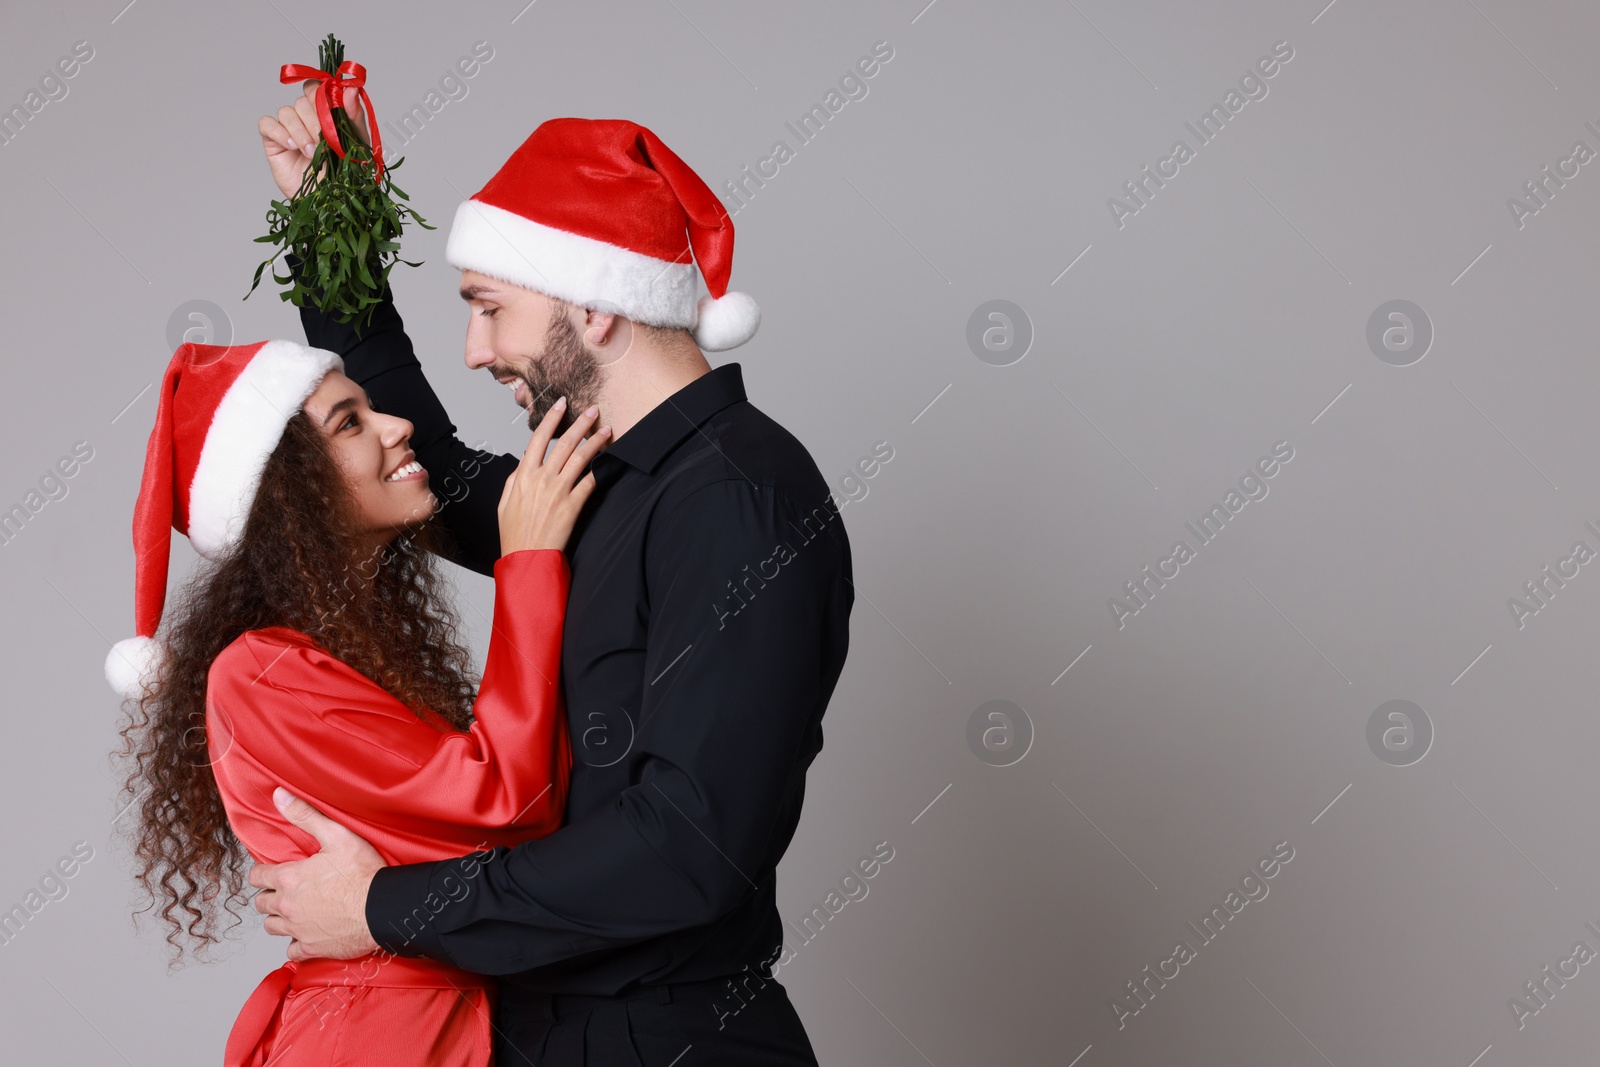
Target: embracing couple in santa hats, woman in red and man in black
{"points": [[574, 861]]}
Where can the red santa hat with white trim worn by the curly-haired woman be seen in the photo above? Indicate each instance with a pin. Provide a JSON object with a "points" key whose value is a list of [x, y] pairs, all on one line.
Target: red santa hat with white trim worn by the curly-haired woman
{"points": [[222, 414]]}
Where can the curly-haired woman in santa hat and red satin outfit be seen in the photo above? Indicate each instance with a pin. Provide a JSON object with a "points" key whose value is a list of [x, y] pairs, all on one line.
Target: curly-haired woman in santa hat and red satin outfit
{"points": [[316, 653]]}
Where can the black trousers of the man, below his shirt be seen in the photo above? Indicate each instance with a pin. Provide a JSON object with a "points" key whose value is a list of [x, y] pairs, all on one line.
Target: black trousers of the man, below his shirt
{"points": [[682, 1025]]}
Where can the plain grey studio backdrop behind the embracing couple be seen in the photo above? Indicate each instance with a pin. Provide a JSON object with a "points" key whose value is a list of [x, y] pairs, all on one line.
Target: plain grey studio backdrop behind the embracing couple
{"points": [[1225, 318]]}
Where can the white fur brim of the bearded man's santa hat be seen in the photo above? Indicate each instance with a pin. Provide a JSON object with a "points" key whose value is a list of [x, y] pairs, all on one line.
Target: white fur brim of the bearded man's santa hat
{"points": [[570, 266]]}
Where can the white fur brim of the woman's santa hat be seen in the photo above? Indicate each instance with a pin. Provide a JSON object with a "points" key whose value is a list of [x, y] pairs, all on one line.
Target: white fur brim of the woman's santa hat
{"points": [[247, 426]]}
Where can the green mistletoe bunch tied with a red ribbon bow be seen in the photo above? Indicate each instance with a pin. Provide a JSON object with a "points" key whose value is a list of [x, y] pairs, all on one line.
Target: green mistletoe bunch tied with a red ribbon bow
{"points": [[345, 222]]}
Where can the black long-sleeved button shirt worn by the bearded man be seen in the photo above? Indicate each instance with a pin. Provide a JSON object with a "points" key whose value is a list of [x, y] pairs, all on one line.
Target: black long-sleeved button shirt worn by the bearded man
{"points": [[708, 625]]}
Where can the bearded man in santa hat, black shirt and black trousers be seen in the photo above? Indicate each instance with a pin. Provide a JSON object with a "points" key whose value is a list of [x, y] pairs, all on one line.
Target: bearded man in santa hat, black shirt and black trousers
{"points": [[708, 623]]}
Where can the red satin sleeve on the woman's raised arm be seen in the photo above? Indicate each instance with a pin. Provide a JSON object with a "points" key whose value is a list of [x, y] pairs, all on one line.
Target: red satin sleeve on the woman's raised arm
{"points": [[342, 741]]}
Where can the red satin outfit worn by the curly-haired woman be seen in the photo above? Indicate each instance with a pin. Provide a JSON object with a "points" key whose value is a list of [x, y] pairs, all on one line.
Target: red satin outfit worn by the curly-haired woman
{"points": [[284, 713]]}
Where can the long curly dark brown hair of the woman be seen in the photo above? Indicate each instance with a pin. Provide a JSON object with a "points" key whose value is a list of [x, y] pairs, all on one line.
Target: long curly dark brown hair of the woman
{"points": [[294, 567]]}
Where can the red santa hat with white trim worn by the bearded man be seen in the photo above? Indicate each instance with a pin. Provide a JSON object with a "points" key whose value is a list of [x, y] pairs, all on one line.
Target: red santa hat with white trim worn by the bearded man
{"points": [[601, 212]]}
